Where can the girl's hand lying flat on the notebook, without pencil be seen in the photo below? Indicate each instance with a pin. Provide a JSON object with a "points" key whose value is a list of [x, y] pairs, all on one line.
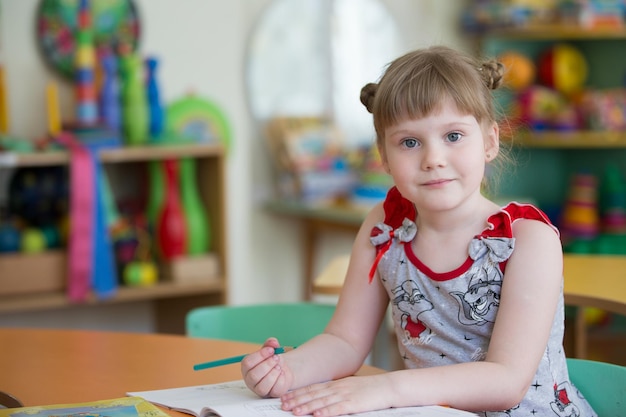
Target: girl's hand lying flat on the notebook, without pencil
{"points": [[344, 396]]}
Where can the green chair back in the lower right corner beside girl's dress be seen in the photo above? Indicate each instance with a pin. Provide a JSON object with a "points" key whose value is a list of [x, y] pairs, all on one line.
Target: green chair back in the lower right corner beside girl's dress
{"points": [[603, 385]]}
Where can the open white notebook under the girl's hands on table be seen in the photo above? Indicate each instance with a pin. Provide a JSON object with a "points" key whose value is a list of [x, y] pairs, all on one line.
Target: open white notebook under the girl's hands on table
{"points": [[234, 399]]}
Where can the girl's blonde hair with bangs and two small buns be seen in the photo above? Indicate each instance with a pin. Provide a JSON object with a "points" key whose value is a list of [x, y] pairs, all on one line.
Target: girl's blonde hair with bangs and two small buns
{"points": [[415, 84]]}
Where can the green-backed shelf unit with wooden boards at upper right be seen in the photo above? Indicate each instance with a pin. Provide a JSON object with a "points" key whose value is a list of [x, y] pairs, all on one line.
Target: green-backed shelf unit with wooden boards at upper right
{"points": [[546, 160]]}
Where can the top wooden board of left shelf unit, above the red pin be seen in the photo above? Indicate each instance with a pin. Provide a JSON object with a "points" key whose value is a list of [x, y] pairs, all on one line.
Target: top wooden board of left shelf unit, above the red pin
{"points": [[117, 155]]}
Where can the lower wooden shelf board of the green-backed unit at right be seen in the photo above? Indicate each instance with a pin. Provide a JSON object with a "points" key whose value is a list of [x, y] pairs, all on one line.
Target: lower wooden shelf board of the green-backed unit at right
{"points": [[571, 140]]}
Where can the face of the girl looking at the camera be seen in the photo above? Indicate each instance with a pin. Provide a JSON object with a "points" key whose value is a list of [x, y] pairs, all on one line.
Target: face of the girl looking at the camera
{"points": [[438, 162]]}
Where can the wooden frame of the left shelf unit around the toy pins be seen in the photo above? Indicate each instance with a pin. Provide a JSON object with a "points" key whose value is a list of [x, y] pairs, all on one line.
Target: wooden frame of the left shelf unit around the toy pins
{"points": [[171, 300]]}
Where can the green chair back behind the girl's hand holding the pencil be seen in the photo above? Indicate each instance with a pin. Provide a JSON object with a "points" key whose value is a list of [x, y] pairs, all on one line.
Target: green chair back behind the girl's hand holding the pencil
{"points": [[291, 323]]}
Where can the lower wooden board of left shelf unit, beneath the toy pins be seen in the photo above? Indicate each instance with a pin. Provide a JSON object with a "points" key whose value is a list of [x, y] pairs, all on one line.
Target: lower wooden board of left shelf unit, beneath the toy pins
{"points": [[55, 300]]}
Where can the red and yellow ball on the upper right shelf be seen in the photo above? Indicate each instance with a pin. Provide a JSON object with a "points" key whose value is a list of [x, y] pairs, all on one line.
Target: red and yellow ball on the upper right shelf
{"points": [[564, 68]]}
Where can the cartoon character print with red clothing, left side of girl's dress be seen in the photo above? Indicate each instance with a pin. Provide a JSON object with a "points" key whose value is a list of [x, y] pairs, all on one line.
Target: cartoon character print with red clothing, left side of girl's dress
{"points": [[412, 303]]}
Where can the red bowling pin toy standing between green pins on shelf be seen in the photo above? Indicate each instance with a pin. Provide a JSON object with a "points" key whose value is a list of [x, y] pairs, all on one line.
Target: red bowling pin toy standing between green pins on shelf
{"points": [[171, 222]]}
